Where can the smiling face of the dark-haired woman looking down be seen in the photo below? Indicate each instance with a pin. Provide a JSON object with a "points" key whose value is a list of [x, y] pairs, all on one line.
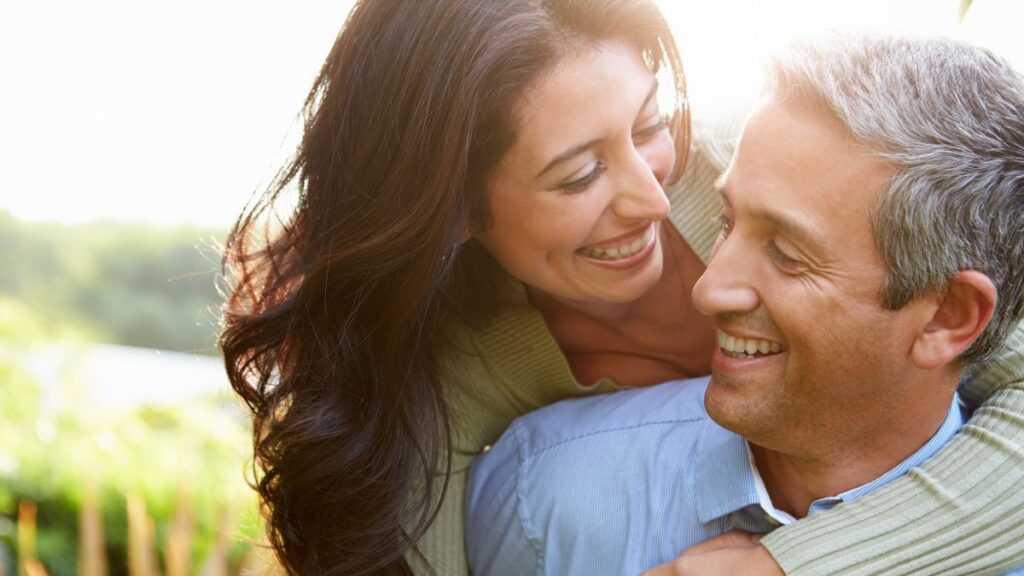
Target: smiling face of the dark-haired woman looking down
{"points": [[577, 201]]}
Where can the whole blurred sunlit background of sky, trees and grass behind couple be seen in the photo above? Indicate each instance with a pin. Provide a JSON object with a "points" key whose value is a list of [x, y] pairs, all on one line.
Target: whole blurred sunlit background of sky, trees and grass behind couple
{"points": [[132, 134]]}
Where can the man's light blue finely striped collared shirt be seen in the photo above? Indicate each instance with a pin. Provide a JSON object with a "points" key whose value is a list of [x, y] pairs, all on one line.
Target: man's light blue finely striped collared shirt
{"points": [[618, 484]]}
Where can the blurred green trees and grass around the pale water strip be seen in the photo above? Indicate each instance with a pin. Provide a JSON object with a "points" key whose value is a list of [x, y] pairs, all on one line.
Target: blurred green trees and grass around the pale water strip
{"points": [[79, 285]]}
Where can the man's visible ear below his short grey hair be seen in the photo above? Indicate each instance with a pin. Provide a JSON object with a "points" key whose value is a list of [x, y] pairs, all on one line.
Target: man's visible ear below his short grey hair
{"points": [[962, 315]]}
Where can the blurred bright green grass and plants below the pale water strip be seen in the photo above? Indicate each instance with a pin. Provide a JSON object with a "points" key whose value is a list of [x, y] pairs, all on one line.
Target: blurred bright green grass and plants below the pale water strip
{"points": [[54, 454]]}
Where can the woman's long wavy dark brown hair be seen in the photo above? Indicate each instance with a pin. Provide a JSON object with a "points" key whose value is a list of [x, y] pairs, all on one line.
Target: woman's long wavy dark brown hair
{"points": [[332, 325]]}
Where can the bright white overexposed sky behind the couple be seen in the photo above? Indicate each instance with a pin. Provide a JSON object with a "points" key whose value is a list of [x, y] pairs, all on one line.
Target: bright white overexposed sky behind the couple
{"points": [[176, 113]]}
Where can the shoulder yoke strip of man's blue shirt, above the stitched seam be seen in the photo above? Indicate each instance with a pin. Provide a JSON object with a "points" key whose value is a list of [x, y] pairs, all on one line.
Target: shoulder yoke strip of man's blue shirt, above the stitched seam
{"points": [[669, 403]]}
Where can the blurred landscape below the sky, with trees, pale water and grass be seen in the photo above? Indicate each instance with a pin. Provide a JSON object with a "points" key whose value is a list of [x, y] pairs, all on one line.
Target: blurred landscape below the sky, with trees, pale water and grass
{"points": [[118, 456]]}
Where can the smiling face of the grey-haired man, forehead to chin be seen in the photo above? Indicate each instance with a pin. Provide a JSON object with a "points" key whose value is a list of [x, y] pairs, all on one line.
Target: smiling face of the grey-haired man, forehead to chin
{"points": [[795, 281]]}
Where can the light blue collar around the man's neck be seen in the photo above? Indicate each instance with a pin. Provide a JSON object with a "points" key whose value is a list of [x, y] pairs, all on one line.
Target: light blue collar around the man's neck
{"points": [[730, 479]]}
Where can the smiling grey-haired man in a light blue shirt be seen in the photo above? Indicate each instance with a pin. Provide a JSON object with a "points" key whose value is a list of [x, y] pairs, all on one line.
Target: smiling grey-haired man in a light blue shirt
{"points": [[873, 234]]}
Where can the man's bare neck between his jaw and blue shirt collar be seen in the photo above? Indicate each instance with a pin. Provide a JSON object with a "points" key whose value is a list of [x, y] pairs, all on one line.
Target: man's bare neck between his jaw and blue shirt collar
{"points": [[794, 482]]}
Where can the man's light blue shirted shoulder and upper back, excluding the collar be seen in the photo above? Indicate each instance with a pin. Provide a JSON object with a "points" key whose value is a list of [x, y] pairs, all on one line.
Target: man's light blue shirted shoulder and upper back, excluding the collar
{"points": [[586, 486]]}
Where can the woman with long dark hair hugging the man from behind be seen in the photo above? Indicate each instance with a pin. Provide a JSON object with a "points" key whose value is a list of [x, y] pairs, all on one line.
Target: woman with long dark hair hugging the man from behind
{"points": [[481, 231]]}
